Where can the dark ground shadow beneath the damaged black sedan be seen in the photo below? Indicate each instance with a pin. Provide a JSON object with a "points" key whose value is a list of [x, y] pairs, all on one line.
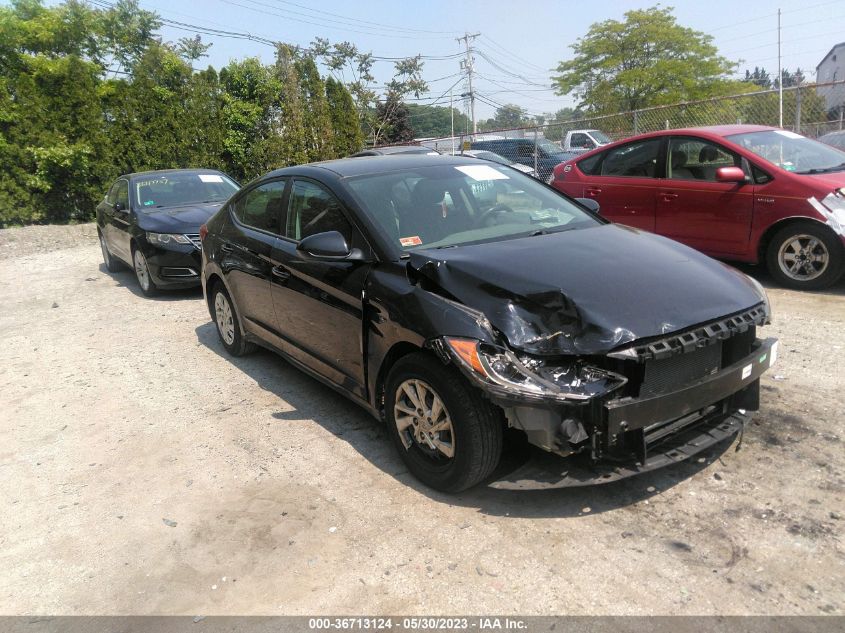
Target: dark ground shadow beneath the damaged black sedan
{"points": [[309, 400]]}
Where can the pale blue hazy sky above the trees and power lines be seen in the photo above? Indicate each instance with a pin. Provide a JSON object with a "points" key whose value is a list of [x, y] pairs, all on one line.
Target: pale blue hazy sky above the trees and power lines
{"points": [[521, 41]]}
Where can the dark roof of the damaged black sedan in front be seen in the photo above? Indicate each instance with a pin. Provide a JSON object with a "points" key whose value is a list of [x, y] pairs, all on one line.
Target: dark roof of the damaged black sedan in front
{"points": [[366, 165]]}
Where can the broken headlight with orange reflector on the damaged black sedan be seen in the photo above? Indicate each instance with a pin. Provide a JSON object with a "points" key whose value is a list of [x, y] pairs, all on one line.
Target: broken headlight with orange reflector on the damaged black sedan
{"points": [[501, 369]]}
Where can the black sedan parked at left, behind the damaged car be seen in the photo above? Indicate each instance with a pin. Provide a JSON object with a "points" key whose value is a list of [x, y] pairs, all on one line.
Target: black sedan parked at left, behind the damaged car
{"points": [[150, 221]]}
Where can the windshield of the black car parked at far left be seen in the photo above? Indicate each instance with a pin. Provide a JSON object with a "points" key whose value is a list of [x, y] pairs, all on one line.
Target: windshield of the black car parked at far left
{"points": [[181, 188]]}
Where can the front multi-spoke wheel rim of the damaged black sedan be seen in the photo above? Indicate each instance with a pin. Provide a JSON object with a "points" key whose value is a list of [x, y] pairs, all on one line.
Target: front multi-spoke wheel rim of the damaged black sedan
{"points": [[422, 420]]}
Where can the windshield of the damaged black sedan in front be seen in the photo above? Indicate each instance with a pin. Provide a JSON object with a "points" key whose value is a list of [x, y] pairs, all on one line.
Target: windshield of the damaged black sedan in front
{"points": [[454, 205]]}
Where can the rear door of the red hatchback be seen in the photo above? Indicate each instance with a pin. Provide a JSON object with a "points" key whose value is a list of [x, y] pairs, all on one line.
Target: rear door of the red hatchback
{"points": [[624, 183]]}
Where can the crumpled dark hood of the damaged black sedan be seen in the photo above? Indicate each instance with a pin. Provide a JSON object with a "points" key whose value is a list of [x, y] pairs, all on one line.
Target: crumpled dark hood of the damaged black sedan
{"points": [[587, 291]]}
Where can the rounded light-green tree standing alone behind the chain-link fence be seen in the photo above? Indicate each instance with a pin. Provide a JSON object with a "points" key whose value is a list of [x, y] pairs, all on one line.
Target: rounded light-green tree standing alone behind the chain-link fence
{"points": [[647, 59]]}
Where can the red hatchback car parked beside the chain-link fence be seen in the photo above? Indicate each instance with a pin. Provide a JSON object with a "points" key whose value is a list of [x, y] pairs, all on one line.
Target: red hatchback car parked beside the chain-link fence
{"points": [[745, 193]]}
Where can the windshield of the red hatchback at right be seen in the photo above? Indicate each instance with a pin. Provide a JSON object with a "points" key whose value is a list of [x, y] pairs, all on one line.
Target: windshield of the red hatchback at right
{"points": [[791, 151]]}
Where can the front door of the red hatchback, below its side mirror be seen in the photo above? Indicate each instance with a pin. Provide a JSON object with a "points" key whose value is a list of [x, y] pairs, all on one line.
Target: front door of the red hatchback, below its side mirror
{"points": [[693, 208]]}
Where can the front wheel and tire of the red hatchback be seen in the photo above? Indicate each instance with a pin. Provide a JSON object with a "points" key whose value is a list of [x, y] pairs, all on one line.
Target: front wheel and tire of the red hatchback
{"points": [[805, 256]]}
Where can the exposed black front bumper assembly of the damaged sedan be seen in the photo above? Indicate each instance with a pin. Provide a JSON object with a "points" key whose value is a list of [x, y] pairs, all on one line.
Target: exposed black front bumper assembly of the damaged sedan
{"points": [[598, 442]]}
